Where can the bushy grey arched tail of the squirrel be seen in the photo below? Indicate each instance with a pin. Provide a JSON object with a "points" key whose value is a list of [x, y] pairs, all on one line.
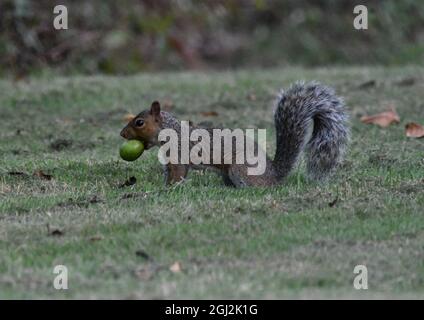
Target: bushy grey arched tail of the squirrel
{"points": [[297, 110]]}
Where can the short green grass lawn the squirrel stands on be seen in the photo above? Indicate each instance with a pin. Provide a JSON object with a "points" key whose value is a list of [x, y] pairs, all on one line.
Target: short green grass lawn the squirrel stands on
{"points": [[299, 240]]}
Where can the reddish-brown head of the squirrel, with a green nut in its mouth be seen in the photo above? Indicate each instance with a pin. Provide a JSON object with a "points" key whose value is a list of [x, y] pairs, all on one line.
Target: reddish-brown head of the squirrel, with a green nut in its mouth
{"points": [[145, 127]]}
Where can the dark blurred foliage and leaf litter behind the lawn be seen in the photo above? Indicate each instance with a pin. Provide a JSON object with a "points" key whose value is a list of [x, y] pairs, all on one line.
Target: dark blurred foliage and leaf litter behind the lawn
{"points": [[128, 36]]}
